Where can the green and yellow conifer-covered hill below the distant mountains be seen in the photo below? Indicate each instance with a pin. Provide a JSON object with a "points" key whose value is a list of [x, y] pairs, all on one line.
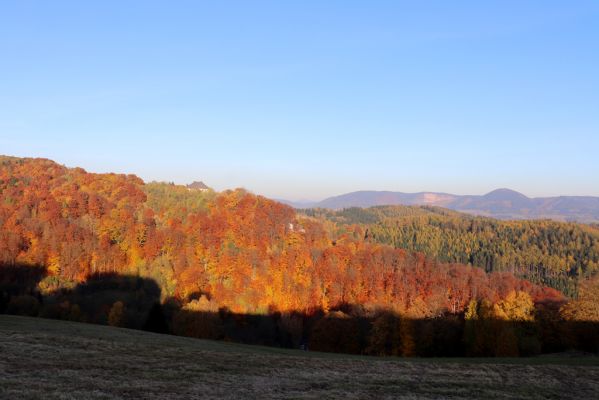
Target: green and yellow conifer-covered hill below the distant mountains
{"points": [[546, 252]]}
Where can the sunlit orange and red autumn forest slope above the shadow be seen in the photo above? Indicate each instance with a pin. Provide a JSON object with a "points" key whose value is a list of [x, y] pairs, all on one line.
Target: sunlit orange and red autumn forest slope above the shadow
{"points": [[244, 252]]}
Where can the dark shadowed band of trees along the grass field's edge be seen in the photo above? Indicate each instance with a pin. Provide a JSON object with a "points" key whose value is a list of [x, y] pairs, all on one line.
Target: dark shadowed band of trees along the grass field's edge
{"points": [[513, 326]]}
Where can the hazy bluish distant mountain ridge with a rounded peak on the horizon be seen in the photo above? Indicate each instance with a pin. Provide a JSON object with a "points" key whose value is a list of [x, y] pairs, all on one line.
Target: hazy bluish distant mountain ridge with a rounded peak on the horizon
{"points": [[500, 203]]}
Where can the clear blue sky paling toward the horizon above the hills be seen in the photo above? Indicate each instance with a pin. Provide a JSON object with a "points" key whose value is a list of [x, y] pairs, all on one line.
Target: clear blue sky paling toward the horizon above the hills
{"points": [[299, 99]]}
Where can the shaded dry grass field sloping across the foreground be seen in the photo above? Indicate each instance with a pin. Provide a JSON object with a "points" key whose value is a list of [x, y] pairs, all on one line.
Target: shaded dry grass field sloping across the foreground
{"points": [[46, 359]]}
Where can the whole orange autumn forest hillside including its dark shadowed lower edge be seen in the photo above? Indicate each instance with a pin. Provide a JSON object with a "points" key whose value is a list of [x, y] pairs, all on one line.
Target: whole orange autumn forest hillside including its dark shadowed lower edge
{"points": [[109, 249]]}
